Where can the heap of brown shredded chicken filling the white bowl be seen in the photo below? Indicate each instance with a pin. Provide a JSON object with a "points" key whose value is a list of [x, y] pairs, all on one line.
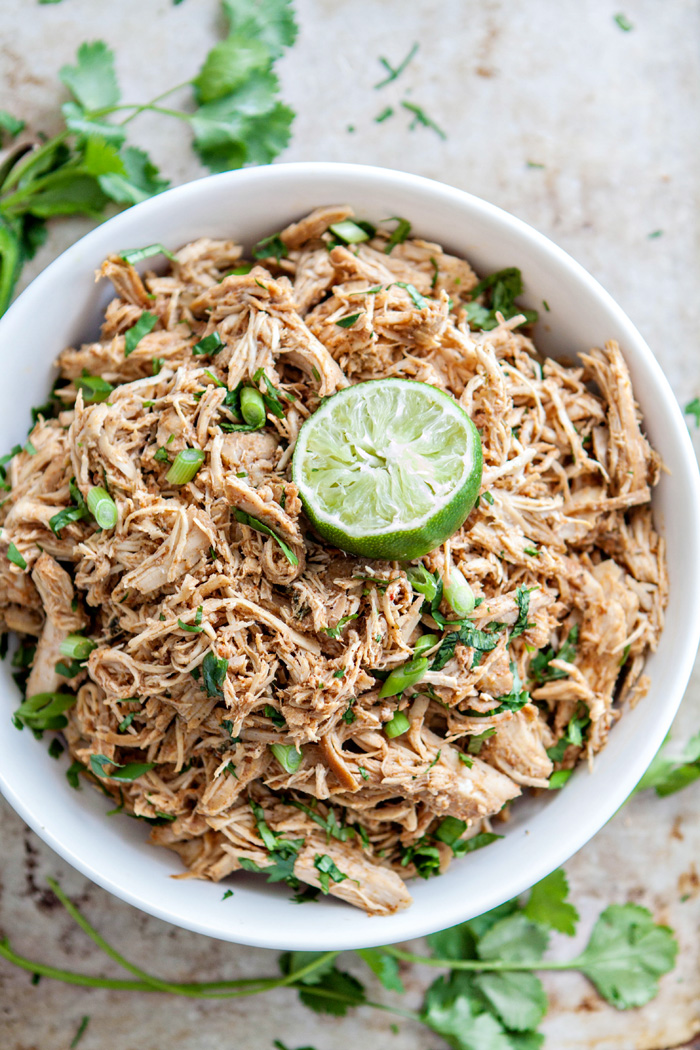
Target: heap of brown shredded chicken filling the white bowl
{"points": [[246, 673]]}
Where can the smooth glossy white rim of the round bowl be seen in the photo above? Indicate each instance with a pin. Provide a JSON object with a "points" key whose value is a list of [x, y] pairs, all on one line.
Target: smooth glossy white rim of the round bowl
{"points": [[581, 832]]}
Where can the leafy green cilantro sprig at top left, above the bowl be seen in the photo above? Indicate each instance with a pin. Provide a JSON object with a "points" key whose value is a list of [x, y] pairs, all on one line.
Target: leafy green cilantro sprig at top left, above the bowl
{"points": [[237, 118]]}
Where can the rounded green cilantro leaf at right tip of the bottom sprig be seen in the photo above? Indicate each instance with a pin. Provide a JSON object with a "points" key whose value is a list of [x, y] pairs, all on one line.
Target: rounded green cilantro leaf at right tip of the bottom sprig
{"points": [[627, 955]]}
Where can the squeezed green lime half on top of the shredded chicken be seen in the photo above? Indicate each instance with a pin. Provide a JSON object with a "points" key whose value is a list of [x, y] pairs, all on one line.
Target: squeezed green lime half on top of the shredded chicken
{"points": [[389, 469]]}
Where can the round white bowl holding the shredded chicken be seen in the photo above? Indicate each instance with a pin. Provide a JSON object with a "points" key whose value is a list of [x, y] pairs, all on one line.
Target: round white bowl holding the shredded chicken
{"points": [[63, 307]]}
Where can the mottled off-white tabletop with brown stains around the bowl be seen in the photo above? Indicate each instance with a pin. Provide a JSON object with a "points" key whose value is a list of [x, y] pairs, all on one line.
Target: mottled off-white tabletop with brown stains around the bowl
{"points": [[592, 136]]}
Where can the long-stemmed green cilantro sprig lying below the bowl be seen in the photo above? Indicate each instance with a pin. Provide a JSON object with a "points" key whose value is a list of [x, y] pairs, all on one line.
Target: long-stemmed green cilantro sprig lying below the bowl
{"points": [[492, 995]]}
